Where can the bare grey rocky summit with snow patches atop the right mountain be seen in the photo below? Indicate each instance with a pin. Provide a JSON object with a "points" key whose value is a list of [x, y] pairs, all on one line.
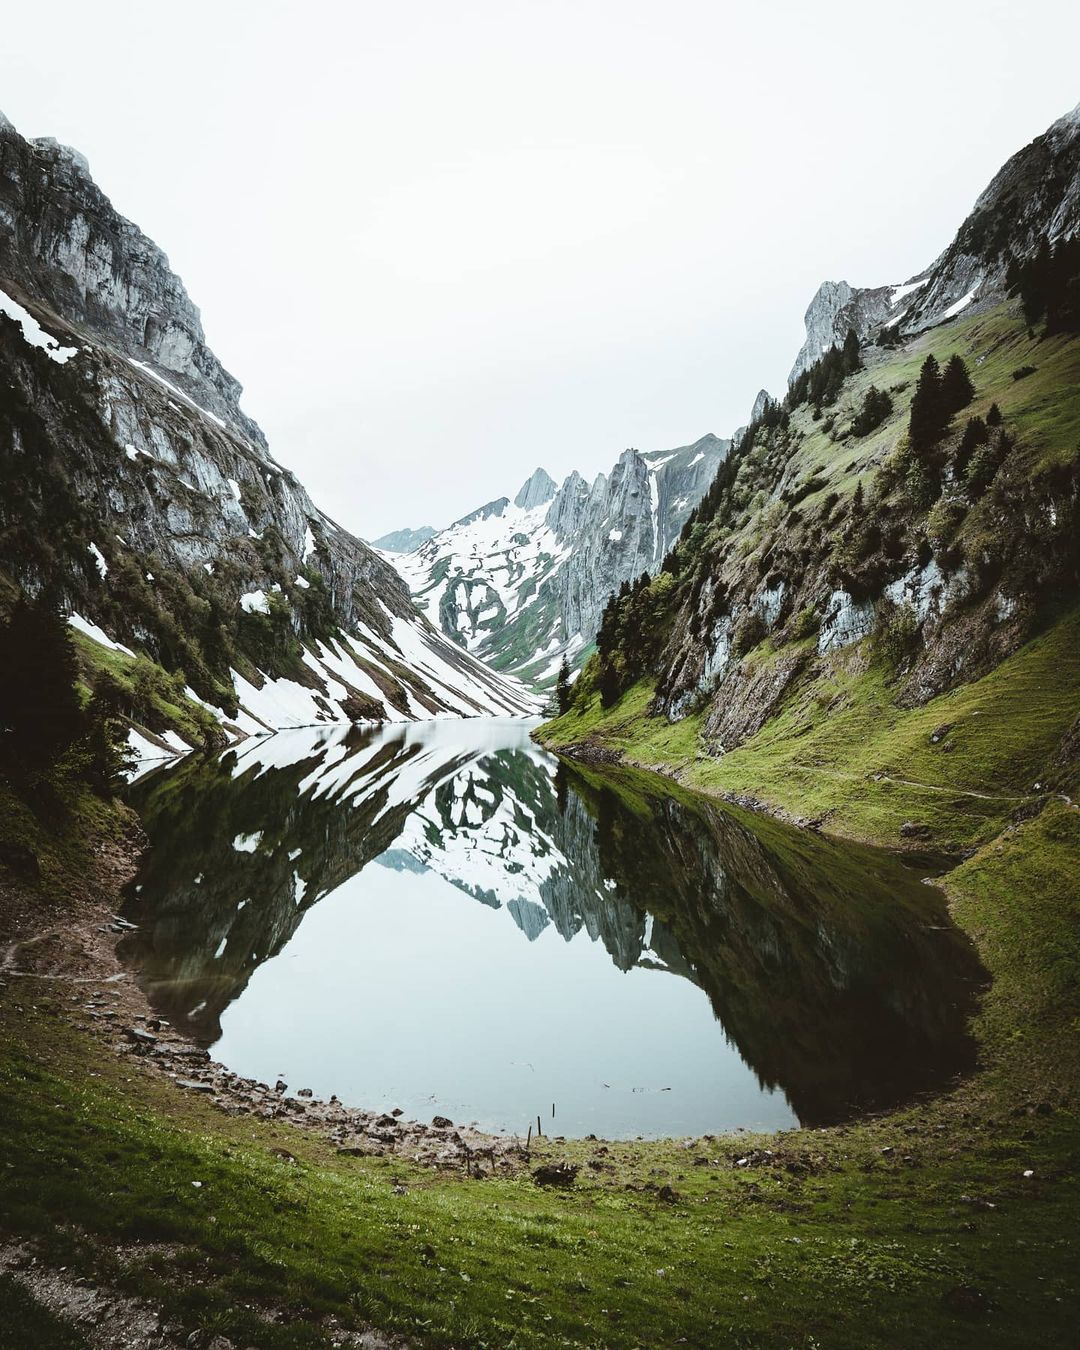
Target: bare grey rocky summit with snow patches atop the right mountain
{"points": [[1036, 196]]}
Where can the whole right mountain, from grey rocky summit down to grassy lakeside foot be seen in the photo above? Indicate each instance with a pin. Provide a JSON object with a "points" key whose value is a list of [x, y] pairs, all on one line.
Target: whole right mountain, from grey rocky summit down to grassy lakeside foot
{"points": [[886, 535]]}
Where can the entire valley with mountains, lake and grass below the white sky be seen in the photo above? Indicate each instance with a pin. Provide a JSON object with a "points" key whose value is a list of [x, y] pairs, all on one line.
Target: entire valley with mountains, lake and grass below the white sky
{"points": [[643, 912]]}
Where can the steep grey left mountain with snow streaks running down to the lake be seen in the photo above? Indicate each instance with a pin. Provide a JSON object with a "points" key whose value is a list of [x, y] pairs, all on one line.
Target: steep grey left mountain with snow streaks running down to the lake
{"points": [[142, 496]]}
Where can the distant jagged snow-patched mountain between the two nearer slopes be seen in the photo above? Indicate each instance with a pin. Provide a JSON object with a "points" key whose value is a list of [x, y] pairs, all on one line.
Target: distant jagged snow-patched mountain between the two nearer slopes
{"points": [[520, 584]]}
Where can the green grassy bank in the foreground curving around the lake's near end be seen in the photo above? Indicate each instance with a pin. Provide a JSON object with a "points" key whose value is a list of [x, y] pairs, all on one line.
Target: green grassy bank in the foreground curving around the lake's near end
{"points": [[865, 1248]]}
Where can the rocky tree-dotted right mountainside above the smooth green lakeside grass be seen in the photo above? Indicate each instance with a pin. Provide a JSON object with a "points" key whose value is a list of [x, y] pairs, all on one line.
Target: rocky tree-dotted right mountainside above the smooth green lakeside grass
{"points": [[832, 543]]}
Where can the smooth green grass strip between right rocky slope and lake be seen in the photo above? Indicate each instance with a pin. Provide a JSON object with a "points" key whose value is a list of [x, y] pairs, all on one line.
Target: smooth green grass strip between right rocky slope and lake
{"points": [[840, 747]]}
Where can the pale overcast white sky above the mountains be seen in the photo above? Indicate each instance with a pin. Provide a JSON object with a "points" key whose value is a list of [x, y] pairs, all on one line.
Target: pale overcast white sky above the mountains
{"points": [[442, 245]]}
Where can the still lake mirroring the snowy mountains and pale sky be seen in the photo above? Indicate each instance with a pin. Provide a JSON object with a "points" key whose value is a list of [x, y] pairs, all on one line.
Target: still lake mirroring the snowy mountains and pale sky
{"points": [[445, 919]]}
